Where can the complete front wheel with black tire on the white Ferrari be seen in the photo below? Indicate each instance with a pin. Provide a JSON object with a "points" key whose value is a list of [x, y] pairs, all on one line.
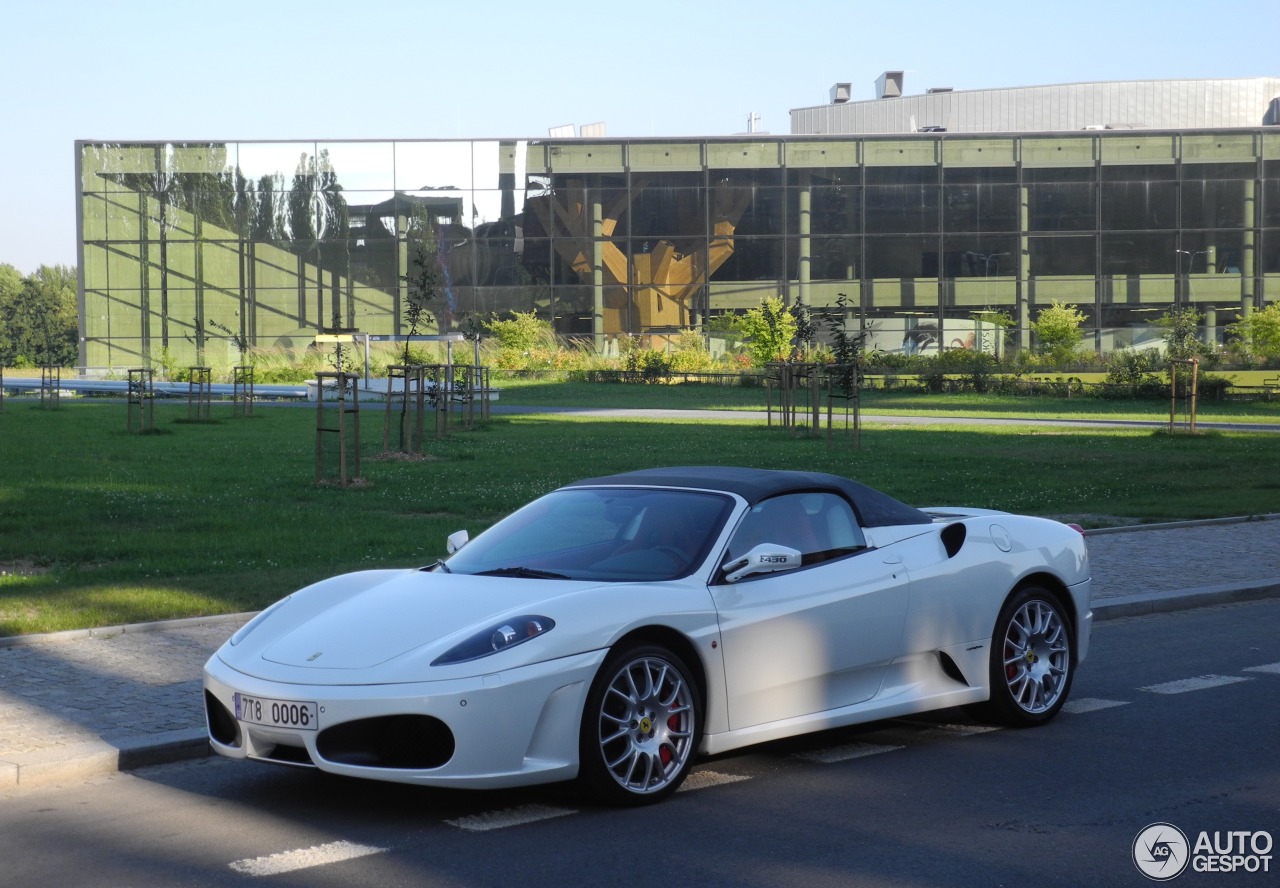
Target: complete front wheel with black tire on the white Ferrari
{"points": [[642, 727]]}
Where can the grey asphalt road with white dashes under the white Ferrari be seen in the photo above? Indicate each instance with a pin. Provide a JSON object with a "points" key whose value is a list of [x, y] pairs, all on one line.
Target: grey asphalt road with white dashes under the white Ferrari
{"points": [[1172, 720]]}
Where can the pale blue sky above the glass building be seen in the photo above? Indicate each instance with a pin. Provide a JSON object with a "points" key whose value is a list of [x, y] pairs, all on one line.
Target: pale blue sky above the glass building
{"points": [[282, 70]]}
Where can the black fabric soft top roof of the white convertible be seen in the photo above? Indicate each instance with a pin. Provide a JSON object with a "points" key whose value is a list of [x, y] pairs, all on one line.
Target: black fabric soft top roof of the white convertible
{"points": [[874, 509]]}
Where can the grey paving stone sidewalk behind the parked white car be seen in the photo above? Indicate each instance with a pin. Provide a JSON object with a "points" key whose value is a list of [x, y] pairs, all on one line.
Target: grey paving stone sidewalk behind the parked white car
{"points": [[81, 703]]}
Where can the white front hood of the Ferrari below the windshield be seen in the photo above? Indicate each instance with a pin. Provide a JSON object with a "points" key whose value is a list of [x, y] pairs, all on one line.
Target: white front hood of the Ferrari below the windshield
{"points": [[363, 621]]}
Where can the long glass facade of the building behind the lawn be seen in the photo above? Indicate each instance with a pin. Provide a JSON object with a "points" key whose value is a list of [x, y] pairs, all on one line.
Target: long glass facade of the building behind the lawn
{"points": [[188, 248]]}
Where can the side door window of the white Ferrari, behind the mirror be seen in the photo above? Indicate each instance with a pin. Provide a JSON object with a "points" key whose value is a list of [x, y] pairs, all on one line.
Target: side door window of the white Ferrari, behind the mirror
{"points": [[819, 525]]}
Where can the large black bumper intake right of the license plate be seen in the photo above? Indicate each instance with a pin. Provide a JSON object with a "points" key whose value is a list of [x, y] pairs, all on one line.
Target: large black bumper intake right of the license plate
{"points": [[412, 743]]}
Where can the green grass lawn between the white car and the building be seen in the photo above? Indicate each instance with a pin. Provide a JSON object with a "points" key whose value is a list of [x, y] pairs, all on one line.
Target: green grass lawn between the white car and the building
{"points": [[100, 527]]}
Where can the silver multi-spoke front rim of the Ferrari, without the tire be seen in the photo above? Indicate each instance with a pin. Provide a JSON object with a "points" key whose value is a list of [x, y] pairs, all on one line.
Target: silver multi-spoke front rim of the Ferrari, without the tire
{"points": [[647, 725]]}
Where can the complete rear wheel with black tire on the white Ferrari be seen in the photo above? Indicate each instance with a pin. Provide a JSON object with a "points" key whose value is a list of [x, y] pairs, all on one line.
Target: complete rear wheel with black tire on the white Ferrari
{"points": [[1032, 660]]}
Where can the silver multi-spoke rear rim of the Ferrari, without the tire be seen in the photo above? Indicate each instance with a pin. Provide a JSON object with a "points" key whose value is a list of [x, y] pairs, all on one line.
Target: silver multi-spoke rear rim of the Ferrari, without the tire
{"points": [[1037, 657]]}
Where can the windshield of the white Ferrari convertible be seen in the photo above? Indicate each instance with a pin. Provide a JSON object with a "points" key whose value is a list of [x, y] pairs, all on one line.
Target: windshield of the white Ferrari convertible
{"points": [[604, 534]]}
